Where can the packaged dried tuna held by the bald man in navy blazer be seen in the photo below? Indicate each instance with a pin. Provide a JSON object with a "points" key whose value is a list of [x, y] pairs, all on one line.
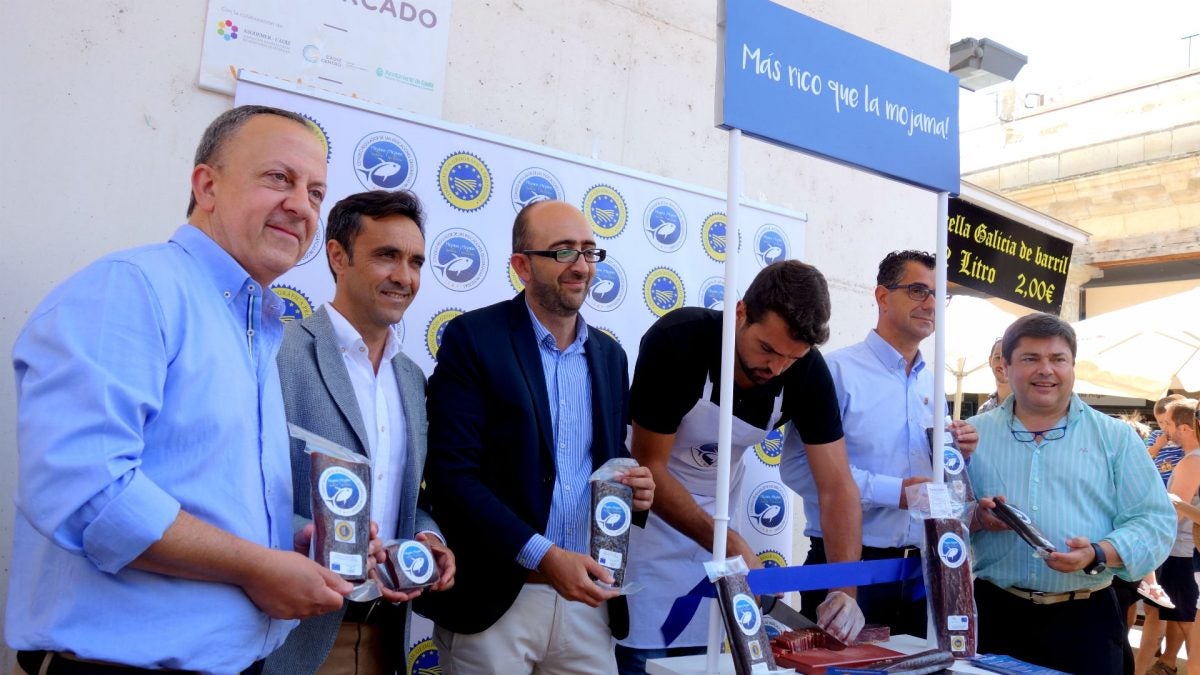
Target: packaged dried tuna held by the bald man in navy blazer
{"points": [[613, 513]]}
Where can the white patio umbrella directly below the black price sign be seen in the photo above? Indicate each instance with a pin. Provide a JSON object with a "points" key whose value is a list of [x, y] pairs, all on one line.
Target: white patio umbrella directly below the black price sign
{"points": [[973, 325]]}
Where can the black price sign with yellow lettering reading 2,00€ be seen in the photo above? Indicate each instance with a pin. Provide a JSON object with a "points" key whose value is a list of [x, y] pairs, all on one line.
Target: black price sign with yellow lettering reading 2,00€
{"points": [[1006, 259]]}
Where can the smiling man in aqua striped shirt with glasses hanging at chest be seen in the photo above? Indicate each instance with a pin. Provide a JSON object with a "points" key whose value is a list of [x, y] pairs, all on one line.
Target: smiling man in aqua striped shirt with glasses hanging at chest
{"points": [[1087, 482]]}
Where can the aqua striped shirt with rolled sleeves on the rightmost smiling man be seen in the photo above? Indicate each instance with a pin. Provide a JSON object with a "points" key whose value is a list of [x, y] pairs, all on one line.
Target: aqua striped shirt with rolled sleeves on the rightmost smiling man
{"points": [[1096, 482]]}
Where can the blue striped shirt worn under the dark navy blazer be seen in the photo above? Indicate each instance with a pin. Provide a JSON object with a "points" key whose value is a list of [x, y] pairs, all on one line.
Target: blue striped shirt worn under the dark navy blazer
{"points": [[569, 386]]}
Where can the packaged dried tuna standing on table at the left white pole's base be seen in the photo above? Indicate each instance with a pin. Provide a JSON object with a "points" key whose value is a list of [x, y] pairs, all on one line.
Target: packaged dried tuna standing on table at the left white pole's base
{"points": [[742, 617]]}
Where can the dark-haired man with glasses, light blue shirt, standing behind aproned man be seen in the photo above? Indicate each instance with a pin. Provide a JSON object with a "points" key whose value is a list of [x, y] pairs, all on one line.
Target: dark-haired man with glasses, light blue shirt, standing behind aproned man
{"points": [[884, 397]]}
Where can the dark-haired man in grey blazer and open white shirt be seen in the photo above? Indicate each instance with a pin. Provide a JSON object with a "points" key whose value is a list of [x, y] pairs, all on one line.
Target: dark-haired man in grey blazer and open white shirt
{"points": [[345, 379]]}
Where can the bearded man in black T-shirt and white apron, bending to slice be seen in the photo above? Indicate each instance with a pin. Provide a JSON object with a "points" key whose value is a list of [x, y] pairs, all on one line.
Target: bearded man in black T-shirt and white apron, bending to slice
{"points": [[779, 378]]}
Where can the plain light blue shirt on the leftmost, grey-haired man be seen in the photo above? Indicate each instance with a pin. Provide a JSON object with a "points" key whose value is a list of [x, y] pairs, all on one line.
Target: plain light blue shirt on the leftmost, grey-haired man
{"points": [[147, 385]]}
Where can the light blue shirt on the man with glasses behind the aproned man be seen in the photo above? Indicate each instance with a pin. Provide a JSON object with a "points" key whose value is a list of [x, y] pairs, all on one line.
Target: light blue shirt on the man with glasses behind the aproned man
{"points": [[885, 411]]}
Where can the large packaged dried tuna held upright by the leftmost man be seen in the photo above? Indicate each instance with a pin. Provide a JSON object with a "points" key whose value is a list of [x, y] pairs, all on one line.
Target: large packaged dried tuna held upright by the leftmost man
{"points": [[341, 506]]}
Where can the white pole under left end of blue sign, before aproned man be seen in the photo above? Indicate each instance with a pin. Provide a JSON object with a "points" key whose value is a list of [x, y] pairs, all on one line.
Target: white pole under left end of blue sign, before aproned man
{"points": [[725, 421]]}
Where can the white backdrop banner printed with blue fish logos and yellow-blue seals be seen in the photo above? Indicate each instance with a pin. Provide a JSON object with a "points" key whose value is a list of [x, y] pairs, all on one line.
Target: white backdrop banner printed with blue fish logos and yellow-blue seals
{"points": [[667, 243]]}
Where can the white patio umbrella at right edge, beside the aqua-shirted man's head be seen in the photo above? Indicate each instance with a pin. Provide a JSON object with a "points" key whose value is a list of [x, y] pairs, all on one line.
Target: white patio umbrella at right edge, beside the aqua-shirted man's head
{"points": [[1144, 350]]}
